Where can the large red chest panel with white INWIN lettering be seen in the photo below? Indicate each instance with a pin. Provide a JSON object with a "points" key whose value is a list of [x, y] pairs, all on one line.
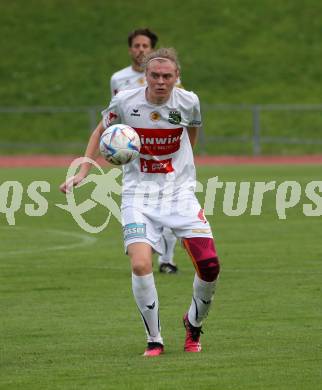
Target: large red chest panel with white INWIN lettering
{"points": [[158, 142]]}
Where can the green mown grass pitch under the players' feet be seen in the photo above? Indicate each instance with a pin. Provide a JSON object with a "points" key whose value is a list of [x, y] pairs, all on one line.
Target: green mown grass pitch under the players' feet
{"points": [[68, 319]]}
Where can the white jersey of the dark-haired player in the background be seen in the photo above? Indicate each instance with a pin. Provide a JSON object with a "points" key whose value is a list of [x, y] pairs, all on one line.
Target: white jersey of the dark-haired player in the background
{"points": [[128, 78]]}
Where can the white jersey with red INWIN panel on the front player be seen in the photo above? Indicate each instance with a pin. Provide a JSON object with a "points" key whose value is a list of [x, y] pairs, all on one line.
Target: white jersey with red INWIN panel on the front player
{"points": [[165, 165]]}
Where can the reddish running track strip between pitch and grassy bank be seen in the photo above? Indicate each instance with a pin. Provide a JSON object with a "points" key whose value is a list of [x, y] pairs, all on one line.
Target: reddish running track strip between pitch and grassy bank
{"points": [[64, 161]]}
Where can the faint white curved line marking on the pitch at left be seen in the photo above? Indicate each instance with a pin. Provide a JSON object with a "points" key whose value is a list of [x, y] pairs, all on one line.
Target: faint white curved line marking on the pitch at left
{"points": [[84, 240]]}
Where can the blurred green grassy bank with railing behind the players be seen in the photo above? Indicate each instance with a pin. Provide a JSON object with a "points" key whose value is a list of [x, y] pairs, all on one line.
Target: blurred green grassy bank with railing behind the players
{"points": [[255, 66]]}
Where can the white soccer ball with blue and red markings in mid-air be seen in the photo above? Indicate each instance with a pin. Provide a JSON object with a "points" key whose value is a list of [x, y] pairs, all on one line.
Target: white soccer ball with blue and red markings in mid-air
{"points": [[120, 144]]}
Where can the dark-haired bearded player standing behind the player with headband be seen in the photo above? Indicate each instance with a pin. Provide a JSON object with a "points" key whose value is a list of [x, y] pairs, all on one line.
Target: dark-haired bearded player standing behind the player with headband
{"points": [[142, 42]]}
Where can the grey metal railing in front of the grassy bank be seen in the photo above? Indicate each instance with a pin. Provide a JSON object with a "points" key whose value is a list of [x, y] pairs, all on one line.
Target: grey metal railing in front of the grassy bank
{"points": [[255, 137]]}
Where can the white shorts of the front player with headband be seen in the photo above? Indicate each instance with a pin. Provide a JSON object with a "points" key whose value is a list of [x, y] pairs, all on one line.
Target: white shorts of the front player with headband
{"points": [[145, 223]]}
